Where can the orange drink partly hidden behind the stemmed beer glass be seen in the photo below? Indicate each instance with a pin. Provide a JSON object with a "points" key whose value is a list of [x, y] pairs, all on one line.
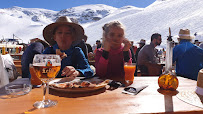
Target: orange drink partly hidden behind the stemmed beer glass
{"points": [[34, 79]]}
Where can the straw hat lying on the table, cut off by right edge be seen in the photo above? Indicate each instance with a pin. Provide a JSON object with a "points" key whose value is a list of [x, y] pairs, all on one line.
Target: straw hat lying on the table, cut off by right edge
{"points": [[194, 97]]}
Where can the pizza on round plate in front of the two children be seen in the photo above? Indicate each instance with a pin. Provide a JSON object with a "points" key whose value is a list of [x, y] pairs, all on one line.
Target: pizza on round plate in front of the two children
{"points": [[78, 85]]}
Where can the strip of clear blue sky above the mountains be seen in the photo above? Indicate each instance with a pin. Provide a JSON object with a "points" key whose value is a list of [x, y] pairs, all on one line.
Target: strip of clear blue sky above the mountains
{"points": [[58, 5]]}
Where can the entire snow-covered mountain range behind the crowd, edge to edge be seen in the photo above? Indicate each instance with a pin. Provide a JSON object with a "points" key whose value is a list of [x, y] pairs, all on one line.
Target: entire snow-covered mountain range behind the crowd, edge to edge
{"points": [[27, 23]]}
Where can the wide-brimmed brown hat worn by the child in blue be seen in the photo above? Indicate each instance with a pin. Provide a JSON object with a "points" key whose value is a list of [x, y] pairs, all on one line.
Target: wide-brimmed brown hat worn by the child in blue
{"points": [[48, 32]]}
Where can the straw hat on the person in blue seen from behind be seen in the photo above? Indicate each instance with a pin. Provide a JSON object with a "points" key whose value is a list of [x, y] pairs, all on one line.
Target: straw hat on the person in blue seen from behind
{"points": [[185, 34]]}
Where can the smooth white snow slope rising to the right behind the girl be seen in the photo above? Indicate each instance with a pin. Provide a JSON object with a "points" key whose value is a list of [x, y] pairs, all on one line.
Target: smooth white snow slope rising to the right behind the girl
{"points": [[156, 18]]}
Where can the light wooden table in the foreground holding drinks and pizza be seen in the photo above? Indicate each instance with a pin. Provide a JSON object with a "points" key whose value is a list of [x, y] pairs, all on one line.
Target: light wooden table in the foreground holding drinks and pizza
{"points": [[149, 100]]}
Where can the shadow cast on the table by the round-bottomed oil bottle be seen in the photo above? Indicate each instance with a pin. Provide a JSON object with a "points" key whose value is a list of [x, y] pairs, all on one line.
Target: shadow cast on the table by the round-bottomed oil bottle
{"points": [[168, 98]]}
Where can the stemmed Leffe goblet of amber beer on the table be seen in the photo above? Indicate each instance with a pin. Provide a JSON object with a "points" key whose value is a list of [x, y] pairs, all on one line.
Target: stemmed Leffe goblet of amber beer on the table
{"points": [[46, 67]]}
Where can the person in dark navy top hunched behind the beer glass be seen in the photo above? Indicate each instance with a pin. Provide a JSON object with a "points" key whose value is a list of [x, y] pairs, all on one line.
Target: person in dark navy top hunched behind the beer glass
{"points": [[36, 46]]}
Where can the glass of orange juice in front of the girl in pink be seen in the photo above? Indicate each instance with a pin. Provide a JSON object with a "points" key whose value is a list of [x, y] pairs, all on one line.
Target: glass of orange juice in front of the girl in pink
{"points": [[129, 69]]}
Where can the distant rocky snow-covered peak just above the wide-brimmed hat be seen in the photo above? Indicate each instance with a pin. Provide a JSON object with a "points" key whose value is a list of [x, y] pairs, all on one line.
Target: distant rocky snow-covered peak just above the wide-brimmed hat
{"points": [[87, 13]]}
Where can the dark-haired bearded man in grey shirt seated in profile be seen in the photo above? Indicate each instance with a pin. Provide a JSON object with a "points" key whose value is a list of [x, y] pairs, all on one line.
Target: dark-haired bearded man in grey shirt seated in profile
{"points": [[147, 59]]}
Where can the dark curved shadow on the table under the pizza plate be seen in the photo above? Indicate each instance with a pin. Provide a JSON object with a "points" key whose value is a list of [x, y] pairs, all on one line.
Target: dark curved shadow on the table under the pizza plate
{"points": [[76, 94]]}
